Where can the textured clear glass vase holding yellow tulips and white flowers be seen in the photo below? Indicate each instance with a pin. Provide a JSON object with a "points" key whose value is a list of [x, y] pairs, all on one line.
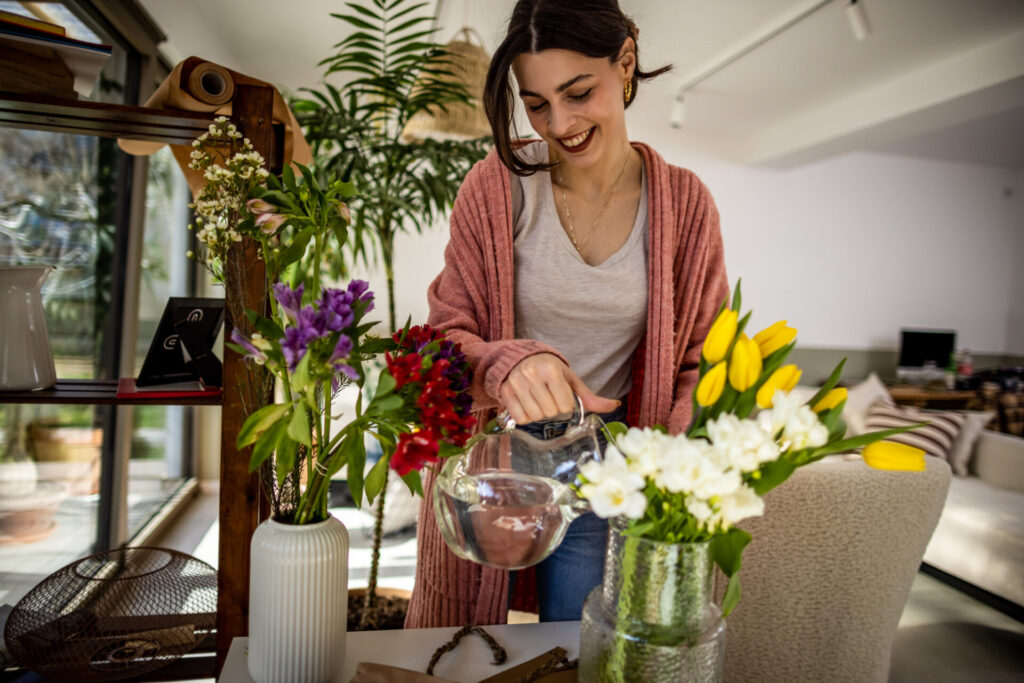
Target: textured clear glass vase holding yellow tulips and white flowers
{"points": [[654, 618]]}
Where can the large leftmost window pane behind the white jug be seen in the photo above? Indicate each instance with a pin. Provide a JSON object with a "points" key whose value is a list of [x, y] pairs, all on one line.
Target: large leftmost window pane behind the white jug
{"points": [[59, 206]]}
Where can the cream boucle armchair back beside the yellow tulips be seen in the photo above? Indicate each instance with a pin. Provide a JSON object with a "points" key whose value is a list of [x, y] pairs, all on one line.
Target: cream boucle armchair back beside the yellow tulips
{"points": [[829, 571]]}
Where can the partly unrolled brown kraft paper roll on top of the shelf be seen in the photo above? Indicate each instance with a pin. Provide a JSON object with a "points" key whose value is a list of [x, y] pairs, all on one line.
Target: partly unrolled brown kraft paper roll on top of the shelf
{"points": [[199, 86]]}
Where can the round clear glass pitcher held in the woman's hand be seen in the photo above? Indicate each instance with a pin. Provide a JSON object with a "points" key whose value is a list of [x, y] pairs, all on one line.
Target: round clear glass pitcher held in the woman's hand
{"points": [[508, 500]]}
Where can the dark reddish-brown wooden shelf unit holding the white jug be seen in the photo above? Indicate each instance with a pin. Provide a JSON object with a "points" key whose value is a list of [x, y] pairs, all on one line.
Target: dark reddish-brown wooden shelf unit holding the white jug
{"points": [[242, 505]]}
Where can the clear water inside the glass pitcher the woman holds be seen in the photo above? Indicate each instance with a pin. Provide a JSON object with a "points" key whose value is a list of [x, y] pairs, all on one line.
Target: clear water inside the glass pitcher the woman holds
{"points": [[504, 520]]}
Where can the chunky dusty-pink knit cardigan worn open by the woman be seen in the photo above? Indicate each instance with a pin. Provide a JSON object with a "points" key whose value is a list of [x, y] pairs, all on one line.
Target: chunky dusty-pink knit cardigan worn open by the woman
{"points": [[473, 300]]}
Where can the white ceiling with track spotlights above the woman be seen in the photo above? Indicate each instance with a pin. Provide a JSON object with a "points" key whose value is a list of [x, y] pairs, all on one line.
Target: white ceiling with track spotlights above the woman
{"points": [[936, 78]]}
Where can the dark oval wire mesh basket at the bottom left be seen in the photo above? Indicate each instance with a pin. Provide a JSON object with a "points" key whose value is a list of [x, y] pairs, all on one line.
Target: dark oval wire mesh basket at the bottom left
{"points": [[115, 615]]}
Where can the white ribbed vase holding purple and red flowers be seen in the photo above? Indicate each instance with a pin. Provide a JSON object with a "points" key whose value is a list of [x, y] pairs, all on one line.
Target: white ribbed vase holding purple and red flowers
{"points": [[298, 602]]}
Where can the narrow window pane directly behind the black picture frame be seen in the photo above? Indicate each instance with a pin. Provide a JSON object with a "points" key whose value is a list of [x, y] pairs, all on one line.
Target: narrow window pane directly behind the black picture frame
{"points": [[158, 465]]}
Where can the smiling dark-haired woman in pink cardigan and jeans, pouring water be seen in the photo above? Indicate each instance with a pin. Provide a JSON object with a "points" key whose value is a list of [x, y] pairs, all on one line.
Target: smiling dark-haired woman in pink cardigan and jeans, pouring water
{"points": [[581, 264]]}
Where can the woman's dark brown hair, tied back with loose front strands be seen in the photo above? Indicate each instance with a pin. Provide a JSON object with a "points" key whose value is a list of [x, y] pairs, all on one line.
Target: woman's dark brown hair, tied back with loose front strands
{"points": [[593, 28]]}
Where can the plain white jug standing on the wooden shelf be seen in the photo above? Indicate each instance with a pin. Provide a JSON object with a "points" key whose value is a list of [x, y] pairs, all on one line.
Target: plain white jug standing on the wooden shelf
{"points": [[26, 359]]}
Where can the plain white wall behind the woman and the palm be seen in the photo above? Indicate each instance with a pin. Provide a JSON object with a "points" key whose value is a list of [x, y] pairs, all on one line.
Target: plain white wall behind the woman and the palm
{"points": [[848, 250]]}
